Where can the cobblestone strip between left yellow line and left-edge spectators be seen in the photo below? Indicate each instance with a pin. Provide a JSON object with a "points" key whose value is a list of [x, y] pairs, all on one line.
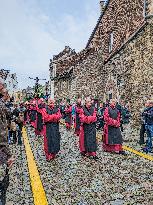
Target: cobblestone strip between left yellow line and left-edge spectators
{"points": [[19, 191]]}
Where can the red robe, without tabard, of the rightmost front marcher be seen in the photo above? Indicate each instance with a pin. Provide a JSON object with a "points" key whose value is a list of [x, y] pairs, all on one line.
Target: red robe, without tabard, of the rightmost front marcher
{"points": [[112, 123]]}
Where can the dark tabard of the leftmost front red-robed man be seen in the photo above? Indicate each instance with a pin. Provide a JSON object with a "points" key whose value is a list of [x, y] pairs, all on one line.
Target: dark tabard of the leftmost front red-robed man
{"points": [[52, 133]]}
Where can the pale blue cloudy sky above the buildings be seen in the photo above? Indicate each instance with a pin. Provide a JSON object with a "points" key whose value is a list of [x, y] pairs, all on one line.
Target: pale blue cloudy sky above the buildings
{"points": [[31, 31]]}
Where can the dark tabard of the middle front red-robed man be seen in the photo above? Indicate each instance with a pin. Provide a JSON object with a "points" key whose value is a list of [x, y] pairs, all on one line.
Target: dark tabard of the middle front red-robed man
{"points": [[90, 142]]}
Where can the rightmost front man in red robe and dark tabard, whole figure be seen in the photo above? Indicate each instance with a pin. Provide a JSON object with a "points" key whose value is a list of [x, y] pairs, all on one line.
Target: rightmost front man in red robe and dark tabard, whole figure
{"points": [[112, 140]]}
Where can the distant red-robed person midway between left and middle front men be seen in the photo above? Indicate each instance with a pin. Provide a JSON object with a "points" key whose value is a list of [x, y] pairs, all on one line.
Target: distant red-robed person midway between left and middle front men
{"points": [[68, 116]]}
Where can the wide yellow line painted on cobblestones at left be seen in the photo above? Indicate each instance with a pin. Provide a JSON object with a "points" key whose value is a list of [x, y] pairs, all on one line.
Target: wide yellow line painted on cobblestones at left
{"points": [[36, 184]]}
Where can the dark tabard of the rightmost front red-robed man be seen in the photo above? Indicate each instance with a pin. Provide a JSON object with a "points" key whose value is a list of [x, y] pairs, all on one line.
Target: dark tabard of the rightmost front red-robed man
{"points": [[114, 133]]}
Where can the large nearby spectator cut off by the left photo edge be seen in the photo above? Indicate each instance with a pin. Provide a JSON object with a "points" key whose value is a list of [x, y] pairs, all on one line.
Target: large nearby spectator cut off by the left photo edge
{"points": [[6, 158]]}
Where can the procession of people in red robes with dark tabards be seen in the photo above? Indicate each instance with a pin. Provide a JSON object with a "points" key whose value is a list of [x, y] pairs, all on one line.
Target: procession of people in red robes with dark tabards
{"points": [[45, 120]]}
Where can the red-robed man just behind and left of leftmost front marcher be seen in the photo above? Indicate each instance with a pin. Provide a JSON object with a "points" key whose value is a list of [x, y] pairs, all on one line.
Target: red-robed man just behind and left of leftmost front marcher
{"points": [[39, 123]]}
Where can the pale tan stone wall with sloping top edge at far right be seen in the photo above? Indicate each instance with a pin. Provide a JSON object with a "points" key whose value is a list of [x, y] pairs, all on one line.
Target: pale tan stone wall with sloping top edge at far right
{"points": [[132, 68]]}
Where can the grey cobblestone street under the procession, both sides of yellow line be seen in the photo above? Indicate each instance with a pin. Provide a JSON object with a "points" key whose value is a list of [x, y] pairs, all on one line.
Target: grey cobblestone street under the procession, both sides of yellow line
{"points": [[71, 179]]}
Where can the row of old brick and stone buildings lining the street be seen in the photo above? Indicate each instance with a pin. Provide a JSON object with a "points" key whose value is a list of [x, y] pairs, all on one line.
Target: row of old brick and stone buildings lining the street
{"points": [[117, 61]]}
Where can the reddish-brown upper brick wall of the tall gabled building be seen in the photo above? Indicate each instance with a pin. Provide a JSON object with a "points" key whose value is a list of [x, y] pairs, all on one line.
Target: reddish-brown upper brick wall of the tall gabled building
{"points": [[123, 18]]}
